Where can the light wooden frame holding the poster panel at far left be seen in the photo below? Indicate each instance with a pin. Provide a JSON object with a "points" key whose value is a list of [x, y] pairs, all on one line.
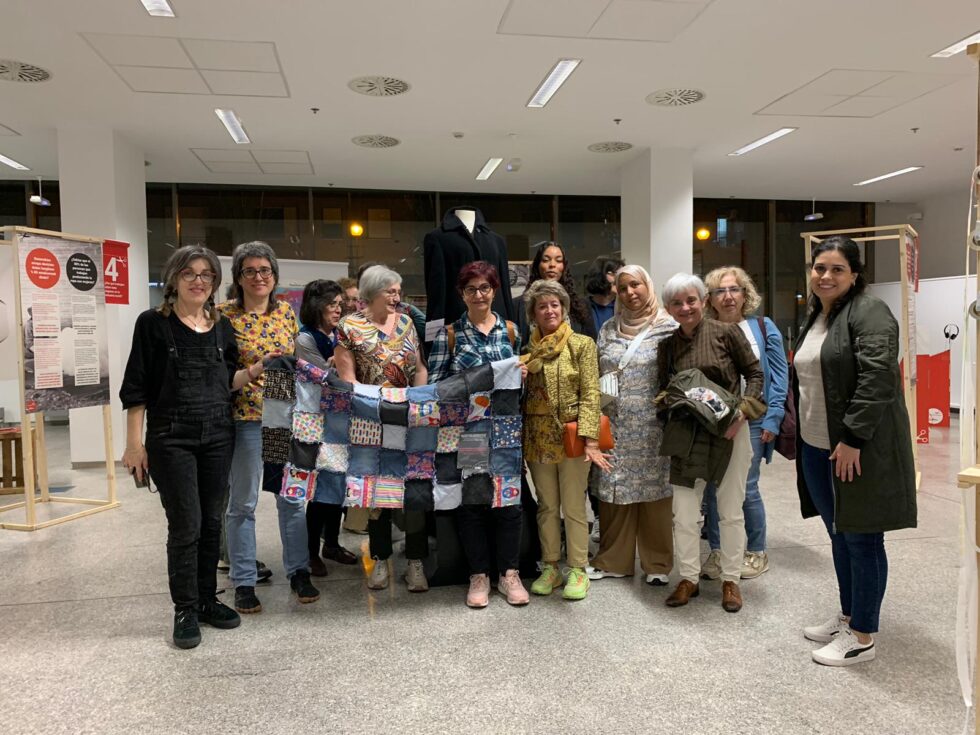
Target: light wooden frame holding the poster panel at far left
{"points": [[38, 461]]}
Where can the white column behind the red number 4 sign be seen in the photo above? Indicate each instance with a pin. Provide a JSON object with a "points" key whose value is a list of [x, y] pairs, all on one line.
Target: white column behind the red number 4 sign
{"points": [[102, 187]]}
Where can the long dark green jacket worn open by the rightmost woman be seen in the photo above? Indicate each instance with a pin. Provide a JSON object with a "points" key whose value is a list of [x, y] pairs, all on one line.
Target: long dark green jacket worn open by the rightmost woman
{"points": [[865, 410]]}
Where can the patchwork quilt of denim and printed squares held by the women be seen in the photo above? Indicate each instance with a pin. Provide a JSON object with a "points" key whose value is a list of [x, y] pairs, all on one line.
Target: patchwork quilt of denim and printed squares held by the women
{"points": [[433, 447]]}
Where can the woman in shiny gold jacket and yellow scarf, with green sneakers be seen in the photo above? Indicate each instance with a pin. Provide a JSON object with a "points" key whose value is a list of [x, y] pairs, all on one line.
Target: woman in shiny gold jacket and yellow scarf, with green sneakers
{"points": [[562, 386]]}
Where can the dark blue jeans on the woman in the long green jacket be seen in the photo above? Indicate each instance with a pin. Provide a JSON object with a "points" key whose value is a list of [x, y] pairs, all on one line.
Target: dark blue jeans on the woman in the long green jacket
{"points": [[859, 558]]}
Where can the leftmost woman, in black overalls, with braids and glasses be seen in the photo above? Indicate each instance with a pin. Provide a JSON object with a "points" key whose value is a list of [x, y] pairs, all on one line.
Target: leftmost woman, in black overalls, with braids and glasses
{"points": [[181, 374]]}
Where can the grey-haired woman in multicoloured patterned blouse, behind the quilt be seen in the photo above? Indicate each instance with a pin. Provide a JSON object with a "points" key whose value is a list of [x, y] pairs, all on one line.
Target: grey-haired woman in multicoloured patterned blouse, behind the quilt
{"points": [[378, 345]]}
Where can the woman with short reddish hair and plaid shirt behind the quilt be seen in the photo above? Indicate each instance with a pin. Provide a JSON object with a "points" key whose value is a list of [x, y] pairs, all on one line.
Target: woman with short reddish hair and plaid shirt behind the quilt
{"points": [[480, 336]]}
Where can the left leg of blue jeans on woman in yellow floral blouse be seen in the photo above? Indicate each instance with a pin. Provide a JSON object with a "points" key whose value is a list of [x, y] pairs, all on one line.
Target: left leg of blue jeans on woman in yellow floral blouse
{"points": [[244, 482]]}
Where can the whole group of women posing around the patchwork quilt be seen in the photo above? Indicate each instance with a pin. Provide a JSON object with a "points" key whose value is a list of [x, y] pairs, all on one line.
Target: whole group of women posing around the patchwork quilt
{"points": [[693, 393]]}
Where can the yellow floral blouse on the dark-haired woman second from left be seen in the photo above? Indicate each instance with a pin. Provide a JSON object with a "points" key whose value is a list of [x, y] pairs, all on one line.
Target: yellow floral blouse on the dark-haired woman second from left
{"points": [[257, 336]]}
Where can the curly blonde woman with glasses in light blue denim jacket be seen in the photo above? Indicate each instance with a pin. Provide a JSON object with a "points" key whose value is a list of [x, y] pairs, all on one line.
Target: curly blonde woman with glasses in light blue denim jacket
{"points": [[732, 297]]}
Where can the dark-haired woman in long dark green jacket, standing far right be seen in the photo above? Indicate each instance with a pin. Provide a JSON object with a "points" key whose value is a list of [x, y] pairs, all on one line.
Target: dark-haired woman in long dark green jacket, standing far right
{"points": [[854, 450]]}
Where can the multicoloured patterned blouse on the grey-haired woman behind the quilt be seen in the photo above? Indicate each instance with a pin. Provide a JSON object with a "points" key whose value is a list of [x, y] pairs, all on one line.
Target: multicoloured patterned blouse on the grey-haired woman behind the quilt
{"points": [[380, 359]]}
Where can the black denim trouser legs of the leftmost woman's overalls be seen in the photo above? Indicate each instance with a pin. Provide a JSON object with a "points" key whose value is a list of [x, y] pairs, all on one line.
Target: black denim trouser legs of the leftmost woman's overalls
{"points": [[189, 462]]}
